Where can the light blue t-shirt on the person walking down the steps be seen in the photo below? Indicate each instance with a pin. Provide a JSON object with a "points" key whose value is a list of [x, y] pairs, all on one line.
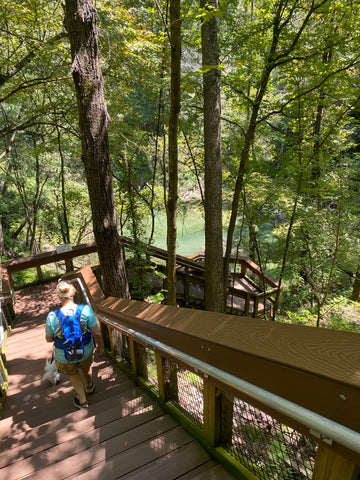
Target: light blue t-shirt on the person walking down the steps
{"points": [[87, 319]]}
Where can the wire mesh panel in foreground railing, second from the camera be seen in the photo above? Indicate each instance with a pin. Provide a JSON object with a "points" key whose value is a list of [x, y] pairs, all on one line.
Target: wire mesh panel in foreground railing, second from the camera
{"points": [[186, 390]]}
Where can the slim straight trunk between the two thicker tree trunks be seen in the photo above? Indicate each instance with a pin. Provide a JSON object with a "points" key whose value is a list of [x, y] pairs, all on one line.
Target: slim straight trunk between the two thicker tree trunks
{"points": [[175, 38]]}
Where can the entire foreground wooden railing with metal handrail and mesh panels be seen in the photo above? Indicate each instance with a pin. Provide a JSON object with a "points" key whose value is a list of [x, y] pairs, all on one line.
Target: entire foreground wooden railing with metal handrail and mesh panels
{"points": [[314, 369]]}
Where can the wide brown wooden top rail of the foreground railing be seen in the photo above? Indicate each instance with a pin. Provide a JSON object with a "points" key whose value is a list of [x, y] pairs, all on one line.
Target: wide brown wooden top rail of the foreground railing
{"points": [[314, 368]]}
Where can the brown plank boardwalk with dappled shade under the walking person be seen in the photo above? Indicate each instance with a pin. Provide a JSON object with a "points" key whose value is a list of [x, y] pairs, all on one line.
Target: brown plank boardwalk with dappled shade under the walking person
{"points": [[123, 434]]}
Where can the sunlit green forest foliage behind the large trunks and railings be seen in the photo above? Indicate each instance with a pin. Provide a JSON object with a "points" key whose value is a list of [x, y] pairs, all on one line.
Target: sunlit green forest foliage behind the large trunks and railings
{"points": [[288, 74]]}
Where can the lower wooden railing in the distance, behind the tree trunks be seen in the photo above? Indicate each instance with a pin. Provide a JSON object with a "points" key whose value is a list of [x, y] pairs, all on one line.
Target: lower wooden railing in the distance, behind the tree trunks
{"points": [[190, 273]]}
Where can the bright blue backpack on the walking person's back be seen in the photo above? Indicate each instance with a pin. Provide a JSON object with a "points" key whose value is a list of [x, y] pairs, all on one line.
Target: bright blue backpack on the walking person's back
{"points": [[73, 340]]}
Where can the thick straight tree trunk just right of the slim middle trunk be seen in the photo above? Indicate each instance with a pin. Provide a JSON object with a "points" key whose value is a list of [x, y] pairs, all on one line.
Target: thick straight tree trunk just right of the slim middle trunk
{"points": [[214, 288]]}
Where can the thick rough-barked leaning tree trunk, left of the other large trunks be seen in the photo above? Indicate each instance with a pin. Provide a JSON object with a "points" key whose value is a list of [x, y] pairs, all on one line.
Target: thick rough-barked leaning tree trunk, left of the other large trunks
{"points": [[80, 22]]}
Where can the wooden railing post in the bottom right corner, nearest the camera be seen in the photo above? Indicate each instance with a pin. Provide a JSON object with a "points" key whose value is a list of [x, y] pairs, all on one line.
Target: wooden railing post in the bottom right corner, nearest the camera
{"points": [[332, 466]]}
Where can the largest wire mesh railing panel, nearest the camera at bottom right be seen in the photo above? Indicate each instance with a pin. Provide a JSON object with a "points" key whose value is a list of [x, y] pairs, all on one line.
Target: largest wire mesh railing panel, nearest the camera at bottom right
{"points": [[266, 447]]}
